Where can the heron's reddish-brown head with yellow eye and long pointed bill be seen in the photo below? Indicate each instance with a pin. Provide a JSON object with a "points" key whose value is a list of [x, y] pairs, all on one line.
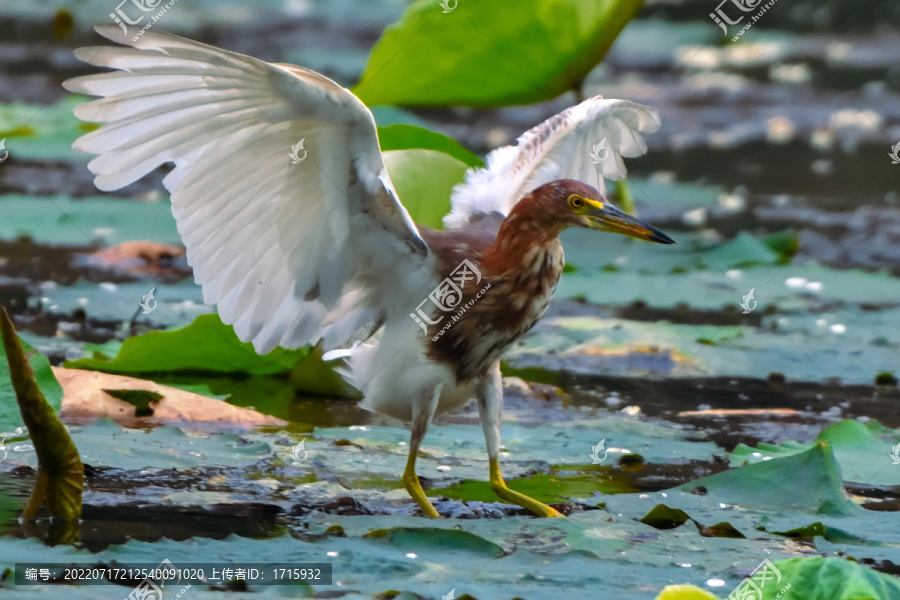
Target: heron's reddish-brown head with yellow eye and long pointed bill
{"points": [[567, 203]]}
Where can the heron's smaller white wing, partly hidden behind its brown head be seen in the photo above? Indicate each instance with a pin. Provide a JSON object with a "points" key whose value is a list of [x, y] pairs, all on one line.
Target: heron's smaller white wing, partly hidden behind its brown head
{"points": [[562, 147]]}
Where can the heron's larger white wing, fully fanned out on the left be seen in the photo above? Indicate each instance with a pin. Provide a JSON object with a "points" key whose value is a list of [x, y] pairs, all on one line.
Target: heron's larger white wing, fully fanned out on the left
{"points": [[289, 252]]}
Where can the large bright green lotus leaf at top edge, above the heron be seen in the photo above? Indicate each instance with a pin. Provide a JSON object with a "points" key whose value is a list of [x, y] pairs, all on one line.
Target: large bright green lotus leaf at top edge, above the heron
{"points": [[489, 53]]}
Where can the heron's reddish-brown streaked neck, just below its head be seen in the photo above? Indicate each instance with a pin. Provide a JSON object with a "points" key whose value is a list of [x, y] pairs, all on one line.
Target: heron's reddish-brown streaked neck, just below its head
{"points": [[522, 232]]}
